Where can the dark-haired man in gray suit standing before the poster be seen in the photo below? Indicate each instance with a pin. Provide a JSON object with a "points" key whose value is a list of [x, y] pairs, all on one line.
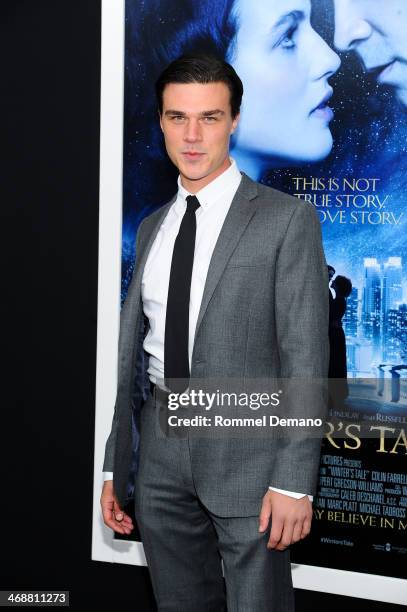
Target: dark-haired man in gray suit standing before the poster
{"points": [[230, 282]]}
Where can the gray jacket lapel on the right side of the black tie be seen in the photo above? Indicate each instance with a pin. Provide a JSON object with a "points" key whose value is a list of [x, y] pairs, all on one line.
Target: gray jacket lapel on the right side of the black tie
{"points": [[240, 212]]}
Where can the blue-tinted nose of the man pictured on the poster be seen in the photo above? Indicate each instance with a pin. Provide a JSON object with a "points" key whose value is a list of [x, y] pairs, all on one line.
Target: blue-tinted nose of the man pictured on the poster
{"points": [[350, 27]]}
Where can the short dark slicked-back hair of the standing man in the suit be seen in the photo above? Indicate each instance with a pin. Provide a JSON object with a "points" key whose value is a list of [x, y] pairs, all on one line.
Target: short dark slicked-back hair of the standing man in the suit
{"points": [[203, 69]]}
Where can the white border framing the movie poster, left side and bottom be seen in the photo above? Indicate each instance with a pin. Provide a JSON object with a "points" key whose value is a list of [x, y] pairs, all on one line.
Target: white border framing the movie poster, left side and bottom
{"points": [[104, 546]]}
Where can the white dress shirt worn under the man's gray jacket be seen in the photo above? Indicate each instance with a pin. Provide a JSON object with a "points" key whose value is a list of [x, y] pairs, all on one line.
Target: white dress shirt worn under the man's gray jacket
{"points": [[215, 200]]}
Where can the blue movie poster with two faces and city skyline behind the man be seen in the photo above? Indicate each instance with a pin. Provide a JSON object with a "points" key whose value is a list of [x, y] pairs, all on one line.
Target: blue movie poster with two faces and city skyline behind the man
{"points": [[324, 119]]}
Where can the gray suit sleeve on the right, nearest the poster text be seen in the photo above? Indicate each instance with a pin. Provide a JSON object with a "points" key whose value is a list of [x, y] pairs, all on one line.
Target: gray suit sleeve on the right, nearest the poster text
{"points": [[302, 311]]}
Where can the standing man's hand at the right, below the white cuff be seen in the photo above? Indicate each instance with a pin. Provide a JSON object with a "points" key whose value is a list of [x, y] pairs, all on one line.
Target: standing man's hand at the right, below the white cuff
{"points": [[291, 519]]}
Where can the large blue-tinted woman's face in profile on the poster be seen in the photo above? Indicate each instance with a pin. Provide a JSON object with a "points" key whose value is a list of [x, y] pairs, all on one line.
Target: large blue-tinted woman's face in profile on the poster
{"points": [[285, 66]]}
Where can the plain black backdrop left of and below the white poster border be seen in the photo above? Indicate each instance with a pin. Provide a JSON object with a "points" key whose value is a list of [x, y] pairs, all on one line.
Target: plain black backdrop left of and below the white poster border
{"points": [[50, 110]]}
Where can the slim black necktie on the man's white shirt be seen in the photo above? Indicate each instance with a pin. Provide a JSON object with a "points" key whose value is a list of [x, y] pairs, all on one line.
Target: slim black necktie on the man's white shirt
{"points": [[176, 361]]}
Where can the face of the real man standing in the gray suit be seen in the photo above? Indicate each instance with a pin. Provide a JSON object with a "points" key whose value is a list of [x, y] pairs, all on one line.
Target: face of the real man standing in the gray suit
{"points": [[197, 124]]}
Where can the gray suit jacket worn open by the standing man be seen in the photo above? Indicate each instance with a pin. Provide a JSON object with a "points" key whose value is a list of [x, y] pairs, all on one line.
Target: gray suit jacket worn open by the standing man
{"points": [[264, 313]]}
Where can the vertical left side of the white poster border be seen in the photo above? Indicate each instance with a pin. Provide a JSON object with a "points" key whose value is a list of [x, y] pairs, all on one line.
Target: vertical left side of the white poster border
{"points": [[110, 238]]}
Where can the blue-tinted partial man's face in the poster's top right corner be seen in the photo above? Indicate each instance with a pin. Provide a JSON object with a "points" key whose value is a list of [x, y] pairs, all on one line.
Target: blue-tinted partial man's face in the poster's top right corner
{"points": [[377, 31]]}
